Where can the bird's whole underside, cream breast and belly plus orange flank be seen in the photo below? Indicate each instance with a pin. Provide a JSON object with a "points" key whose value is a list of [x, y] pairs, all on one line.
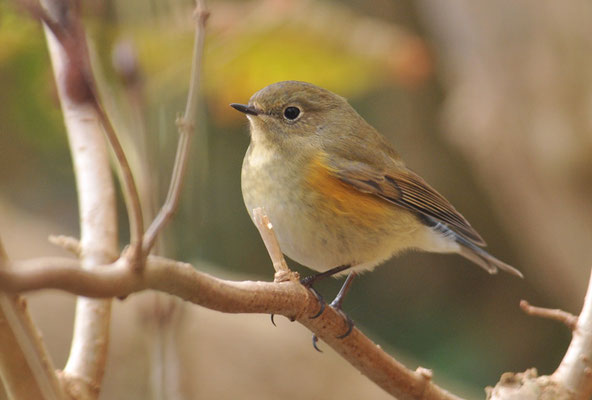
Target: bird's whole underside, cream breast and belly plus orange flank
{"points": [[320, 221]]}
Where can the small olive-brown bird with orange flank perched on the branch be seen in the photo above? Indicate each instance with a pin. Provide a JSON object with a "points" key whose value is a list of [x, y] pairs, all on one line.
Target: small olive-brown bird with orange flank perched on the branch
{"points": [[337, 192]]}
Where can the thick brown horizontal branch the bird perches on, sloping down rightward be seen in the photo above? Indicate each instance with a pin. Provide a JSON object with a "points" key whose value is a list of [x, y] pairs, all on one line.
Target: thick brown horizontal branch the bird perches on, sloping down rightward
{"points": [[182, 280]]}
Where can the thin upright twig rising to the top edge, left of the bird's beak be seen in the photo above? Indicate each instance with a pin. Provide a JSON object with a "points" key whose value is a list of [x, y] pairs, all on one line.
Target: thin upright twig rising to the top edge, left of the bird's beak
{"points": [[185, 125]]}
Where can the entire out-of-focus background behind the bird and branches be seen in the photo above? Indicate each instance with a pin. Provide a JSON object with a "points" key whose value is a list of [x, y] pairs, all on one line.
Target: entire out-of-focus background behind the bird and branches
{"points": [[491, 102]]}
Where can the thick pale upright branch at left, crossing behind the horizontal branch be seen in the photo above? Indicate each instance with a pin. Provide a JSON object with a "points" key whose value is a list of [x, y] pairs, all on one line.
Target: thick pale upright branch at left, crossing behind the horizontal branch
{"points": [[96, 198]]}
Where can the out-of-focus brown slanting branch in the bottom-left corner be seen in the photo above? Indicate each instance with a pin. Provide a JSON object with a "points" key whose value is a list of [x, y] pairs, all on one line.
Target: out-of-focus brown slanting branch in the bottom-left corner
{"points": [[26, 369]]}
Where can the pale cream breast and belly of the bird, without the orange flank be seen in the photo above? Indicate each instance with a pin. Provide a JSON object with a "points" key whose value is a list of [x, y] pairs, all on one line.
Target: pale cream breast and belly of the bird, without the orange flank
{"points": [[309, 229]]}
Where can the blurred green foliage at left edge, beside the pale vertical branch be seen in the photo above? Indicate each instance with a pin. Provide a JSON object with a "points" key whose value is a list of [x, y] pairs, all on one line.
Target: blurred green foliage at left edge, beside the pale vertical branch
{"points": [[31, 128]]}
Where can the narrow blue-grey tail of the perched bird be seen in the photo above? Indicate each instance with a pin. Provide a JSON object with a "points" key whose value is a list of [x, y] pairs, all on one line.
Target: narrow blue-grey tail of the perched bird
{"points": [[472, 251]]}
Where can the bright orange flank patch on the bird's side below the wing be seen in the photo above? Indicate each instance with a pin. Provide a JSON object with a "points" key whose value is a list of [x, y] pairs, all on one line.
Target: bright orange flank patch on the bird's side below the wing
{"points": [[338, 197]]}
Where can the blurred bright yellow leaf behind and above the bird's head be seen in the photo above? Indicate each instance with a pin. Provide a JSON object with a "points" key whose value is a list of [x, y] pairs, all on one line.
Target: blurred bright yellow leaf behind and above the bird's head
{"points": [[251, 63]]}
